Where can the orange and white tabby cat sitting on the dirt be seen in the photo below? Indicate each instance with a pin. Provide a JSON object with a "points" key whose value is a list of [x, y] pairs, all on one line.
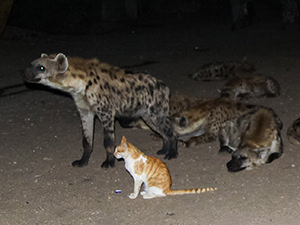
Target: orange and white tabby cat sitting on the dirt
{"points": [[151, 171]]}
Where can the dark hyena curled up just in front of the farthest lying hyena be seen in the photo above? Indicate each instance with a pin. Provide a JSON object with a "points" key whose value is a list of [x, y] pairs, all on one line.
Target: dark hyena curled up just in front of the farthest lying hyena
{"points": [[250, 86]]}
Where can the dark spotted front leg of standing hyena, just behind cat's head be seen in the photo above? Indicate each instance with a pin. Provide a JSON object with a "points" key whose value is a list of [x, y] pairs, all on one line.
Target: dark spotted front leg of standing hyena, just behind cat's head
{"points": [[107, 120]]}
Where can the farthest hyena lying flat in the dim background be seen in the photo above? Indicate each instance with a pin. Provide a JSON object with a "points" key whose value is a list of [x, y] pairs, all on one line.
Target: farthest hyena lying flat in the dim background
{"points": [[222, 70]]}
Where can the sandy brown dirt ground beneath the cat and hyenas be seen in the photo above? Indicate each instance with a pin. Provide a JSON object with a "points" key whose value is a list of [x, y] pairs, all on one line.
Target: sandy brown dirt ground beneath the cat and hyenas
{"points": [[40, 132]]}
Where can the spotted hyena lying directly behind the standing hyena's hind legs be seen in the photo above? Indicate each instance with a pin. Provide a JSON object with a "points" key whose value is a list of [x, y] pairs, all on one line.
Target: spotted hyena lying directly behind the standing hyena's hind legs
{"points": [[201, 123]]}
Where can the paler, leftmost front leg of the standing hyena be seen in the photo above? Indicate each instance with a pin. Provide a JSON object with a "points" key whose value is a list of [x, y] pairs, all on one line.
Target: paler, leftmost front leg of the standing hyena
{"points": [[87, 120]]}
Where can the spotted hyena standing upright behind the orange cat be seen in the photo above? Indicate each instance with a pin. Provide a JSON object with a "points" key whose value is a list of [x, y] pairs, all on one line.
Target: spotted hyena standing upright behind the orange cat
{"points": [[108, 92]]}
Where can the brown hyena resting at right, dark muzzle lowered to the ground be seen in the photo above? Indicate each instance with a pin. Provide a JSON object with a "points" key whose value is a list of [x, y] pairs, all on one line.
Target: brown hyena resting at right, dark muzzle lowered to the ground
{"points": [[253, 139]]}
